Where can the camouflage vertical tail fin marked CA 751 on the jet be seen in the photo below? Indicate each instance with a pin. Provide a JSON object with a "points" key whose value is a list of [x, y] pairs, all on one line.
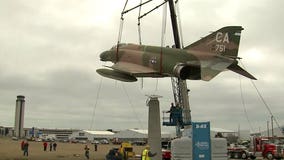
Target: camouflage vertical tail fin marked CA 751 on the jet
{"points": [[224, 41]]}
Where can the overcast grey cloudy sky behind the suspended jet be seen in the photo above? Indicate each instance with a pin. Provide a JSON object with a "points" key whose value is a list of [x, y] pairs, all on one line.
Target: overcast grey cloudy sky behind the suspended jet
{"points": [[49, 52]]}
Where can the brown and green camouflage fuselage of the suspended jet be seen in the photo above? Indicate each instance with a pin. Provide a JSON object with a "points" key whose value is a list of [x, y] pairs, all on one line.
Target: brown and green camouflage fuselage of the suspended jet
{"points": [[160, 59]]}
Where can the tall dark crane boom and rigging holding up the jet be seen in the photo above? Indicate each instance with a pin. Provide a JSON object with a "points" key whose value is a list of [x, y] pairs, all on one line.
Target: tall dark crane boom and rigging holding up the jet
{"points": [[179, 87]]}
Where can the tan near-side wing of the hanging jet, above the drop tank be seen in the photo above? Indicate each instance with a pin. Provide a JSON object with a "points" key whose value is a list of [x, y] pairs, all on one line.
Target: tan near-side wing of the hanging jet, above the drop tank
{"points": [[133, 69]]}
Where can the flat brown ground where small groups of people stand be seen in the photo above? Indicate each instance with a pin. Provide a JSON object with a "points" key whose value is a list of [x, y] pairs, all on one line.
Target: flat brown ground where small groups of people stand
{"points": [[11, 150]]}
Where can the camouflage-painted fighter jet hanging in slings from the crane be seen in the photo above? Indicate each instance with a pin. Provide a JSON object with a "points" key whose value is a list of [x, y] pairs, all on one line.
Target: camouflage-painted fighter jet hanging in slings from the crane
{"points": [[202, 60]]}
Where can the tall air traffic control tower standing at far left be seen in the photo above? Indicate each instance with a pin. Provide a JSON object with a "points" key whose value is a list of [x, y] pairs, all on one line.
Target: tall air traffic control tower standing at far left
{"points": [[19, 116]]}
